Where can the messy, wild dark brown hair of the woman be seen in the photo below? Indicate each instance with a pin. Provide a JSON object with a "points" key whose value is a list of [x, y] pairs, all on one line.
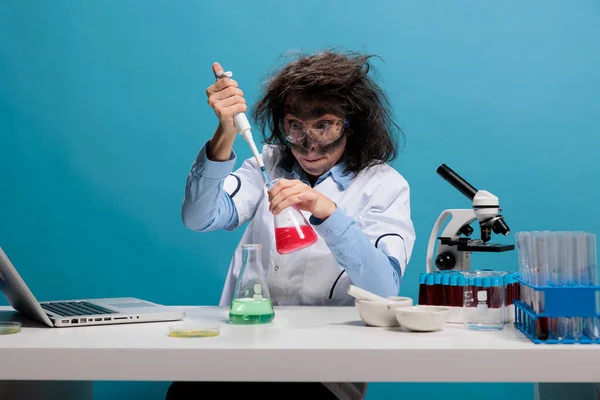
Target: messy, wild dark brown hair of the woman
{"points": [[331, 82]]}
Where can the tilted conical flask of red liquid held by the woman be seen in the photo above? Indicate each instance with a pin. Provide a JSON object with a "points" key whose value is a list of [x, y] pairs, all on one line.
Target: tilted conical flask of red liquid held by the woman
{"points": [[292, 231]]}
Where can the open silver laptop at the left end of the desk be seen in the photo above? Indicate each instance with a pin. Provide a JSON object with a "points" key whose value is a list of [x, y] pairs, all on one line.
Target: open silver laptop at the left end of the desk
{"points": [[71, 313]]}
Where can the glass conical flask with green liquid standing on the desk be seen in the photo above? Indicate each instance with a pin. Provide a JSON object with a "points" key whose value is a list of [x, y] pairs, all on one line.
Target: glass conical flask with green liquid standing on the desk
{"points": [[251, 299]]}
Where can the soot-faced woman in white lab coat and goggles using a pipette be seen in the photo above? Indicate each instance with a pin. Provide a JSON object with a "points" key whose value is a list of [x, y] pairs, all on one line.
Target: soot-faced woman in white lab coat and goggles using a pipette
{"points": [[331, 136]]}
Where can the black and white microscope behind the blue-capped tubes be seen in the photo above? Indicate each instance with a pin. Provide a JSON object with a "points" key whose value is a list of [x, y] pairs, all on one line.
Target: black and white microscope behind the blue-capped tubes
{"points": [[455, 245]]}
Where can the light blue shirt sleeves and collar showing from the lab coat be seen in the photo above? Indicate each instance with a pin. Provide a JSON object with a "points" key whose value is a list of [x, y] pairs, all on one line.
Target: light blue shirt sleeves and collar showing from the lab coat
{"points": [[207, 207]]}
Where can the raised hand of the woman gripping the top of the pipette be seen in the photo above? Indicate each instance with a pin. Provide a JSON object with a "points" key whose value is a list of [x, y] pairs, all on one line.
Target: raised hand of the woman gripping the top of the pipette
{"points": [[226, 99]]}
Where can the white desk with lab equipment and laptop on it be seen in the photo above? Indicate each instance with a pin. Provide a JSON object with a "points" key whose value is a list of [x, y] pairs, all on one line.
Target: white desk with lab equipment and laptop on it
{"points": [[302, 344]]}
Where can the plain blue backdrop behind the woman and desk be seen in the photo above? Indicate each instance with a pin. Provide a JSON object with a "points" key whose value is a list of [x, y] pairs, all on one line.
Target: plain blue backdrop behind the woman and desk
{"points": [[102, 111]]}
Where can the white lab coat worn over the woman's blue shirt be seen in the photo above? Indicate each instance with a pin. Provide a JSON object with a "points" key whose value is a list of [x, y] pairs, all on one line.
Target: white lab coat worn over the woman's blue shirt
{"points": [[377, 198]]}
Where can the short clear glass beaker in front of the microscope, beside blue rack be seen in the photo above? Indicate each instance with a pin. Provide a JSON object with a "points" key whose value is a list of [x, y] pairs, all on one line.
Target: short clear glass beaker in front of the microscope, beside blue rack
{"points": [[484, 302]]}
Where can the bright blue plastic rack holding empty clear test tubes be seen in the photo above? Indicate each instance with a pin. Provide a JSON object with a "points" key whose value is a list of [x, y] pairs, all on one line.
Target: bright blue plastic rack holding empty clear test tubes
{"points": [[560, 302]]}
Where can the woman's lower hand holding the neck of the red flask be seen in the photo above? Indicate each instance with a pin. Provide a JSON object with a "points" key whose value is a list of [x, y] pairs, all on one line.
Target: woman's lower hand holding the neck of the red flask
{"points": [[287, 193]]}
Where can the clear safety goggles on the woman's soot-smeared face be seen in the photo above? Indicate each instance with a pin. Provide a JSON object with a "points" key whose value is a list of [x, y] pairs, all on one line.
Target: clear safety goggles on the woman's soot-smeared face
{"points": [[321, 132]]}
